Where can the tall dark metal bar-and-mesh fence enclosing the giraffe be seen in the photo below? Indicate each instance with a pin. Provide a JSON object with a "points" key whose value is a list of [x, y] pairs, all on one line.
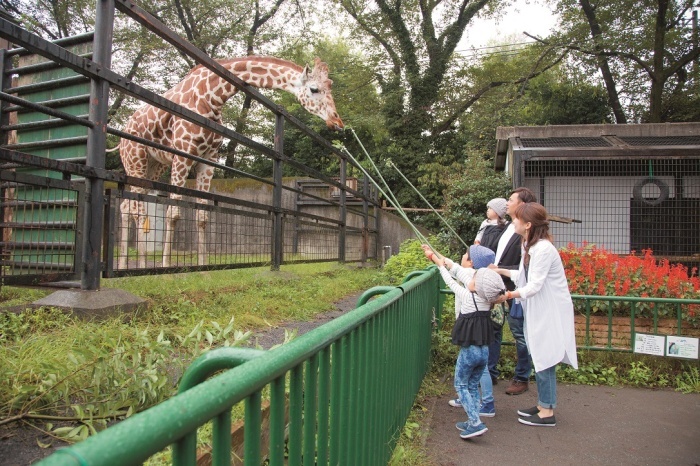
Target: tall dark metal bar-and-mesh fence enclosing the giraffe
{"points": [[48, 130]]}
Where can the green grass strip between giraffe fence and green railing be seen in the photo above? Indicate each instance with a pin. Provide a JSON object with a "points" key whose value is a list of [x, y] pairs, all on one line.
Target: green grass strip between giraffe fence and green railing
{"points": [[70, 377]]}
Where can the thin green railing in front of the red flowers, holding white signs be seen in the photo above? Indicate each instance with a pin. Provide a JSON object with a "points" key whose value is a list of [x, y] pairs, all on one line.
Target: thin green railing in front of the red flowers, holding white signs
{"points": [[654, 308]]}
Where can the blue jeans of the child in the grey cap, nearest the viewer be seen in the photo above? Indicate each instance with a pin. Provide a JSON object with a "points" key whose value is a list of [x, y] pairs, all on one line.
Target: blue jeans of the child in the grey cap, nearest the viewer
{"points": [[471, 362]]}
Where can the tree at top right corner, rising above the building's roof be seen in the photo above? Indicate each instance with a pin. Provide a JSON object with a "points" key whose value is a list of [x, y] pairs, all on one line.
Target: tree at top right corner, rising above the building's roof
{"points": [[640, 47]]}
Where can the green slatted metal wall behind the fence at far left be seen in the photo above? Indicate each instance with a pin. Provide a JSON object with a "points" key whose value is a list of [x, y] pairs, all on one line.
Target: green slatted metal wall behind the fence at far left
{"points": [[45, 218]]}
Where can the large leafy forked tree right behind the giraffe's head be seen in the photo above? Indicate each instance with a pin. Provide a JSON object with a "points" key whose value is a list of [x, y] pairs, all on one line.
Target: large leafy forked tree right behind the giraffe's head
{"points": [[413, 44]]}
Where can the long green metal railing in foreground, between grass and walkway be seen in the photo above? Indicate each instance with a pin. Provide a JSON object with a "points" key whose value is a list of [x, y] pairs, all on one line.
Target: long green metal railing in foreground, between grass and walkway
{"points": [[346, 388]]}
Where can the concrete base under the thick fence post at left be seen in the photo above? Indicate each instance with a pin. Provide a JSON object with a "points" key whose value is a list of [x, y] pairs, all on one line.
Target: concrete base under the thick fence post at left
{"points": [[97, 304]]}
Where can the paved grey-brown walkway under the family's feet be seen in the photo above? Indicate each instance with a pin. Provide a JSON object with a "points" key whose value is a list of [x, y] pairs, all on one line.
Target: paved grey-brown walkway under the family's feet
{"points": [[595, 426]]}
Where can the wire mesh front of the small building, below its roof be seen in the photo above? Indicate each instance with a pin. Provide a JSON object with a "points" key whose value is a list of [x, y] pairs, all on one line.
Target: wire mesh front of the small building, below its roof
{"points": [[623, 205]]}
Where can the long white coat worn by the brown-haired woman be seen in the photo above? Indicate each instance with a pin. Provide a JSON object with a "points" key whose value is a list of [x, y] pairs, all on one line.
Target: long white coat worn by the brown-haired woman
{"points": [[547, 308]]}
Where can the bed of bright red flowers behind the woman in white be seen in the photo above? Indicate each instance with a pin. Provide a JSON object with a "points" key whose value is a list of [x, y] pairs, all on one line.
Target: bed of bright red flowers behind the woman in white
{"points": [[594, 271]]}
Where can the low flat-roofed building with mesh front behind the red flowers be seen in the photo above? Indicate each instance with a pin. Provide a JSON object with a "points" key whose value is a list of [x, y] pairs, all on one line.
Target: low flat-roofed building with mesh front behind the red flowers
{"points": [[622, 187]]}
